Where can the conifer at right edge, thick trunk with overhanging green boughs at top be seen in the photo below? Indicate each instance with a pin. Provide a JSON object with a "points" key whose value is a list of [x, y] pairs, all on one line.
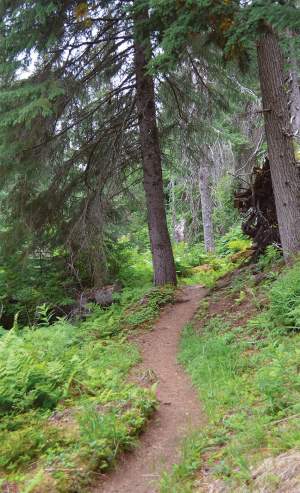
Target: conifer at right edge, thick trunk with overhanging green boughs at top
{"points": [[235, 28]]}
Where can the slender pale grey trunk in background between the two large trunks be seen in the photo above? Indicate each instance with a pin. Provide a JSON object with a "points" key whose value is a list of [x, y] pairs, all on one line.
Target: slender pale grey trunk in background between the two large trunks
{"points": [[206, 207]]}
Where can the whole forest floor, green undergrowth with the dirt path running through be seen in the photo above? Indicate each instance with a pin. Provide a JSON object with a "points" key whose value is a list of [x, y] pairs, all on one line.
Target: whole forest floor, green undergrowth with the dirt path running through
{"points": [[199, 396]]}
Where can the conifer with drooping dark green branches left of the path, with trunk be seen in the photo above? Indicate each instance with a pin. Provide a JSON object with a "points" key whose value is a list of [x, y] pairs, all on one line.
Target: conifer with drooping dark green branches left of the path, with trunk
{"points": [[69, 124]]}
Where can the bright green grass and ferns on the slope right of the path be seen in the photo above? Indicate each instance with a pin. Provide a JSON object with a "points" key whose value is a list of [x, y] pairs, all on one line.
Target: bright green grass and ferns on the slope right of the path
{"points": [[249, 384]]}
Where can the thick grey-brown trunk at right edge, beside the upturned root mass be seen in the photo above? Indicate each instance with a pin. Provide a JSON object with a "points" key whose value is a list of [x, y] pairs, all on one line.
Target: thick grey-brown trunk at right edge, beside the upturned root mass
{"points": [[284, 173]]}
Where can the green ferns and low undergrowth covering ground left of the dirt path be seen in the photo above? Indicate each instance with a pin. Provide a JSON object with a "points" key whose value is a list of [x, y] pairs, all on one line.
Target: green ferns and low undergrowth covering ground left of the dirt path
{"points": [[66, 406]]}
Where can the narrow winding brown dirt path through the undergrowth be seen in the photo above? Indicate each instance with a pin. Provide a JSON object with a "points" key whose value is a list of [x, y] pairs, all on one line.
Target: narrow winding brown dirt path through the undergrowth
{"points": [[179, 409]]}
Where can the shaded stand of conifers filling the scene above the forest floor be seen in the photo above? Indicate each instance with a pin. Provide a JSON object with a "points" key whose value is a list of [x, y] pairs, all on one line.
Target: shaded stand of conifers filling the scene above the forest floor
{"points": [[74, 134]]}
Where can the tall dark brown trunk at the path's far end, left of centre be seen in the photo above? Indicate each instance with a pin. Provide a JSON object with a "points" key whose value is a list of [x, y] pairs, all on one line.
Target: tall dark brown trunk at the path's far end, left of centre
{"points": [[162, 254]]}
